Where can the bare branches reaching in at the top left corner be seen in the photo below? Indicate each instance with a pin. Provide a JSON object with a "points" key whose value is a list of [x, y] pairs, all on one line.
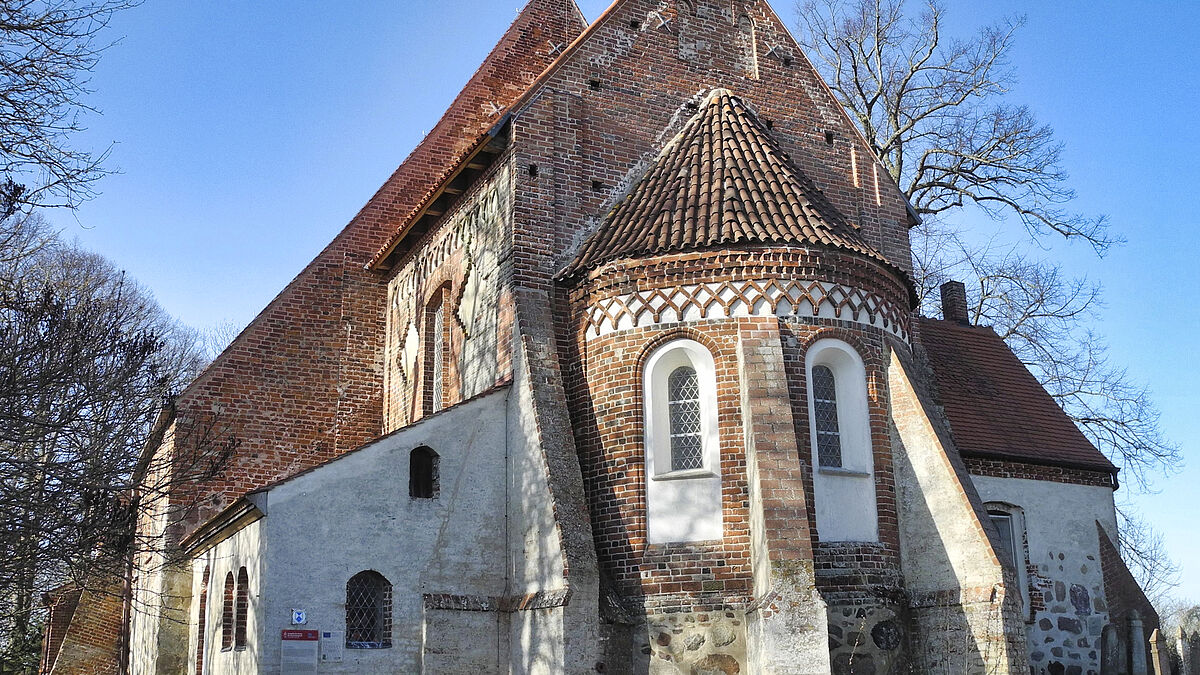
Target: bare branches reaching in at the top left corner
{"points": [[50, 49]]}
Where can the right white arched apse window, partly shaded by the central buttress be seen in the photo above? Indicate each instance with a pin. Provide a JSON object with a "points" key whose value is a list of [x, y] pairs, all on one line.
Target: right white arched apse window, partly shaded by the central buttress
{"points": [[841, 438]]}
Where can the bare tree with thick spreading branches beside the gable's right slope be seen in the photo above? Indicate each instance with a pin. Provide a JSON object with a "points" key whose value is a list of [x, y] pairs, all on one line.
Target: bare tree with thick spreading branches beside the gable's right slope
{"points": [[933, 111]]}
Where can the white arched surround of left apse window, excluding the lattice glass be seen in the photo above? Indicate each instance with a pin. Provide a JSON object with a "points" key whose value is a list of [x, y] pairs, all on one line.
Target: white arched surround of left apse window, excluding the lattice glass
{"points": [[686, 505]]}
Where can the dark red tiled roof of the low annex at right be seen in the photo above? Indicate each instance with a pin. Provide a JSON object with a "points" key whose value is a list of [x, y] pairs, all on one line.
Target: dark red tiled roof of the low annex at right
{"points": [[995, 407]]}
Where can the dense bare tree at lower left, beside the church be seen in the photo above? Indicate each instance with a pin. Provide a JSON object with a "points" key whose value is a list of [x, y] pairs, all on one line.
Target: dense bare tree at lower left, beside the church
{"points": [[88, 361]]}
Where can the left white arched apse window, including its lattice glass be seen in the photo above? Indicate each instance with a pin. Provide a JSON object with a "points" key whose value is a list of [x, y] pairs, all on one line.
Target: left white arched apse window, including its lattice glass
{"points": [[683, 456]]}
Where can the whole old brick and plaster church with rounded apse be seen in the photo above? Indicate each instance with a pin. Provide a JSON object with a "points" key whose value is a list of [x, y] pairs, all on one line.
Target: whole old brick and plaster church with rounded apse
{"points": [[622, 372]]}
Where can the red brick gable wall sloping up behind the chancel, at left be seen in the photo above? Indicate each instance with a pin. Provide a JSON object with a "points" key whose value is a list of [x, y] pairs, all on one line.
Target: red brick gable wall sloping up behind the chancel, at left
{"points": [[303, 383]]}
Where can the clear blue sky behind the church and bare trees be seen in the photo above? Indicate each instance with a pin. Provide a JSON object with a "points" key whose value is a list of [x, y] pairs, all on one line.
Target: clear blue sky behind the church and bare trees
{"points": [[249, 134]]}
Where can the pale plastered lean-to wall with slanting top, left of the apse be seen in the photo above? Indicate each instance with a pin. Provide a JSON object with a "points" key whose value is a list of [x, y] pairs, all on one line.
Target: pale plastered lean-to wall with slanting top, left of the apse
{"points": [[483, 536]]}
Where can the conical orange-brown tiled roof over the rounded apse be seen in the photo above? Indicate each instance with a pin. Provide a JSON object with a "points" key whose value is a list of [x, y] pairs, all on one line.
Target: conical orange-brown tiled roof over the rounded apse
{"points": [[723, 182]]}
